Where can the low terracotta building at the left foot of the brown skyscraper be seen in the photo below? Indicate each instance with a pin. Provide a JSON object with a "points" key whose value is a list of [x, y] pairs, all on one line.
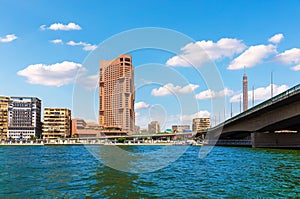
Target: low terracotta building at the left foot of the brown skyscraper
{"points": [[82, 129]]}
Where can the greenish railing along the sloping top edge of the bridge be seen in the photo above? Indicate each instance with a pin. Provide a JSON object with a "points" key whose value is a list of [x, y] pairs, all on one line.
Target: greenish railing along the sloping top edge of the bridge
{"points": [[288, 93]]}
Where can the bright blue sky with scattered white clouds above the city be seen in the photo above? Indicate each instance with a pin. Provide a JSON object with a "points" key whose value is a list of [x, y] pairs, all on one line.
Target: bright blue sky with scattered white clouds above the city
{"points": [[46, 48]]}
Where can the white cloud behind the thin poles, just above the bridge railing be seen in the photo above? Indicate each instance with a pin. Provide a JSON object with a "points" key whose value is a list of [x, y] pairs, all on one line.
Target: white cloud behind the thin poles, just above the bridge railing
{"points": [[261, 94]]}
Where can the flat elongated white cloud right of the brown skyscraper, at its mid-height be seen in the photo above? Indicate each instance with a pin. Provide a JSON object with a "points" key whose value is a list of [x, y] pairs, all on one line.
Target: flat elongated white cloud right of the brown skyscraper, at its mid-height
{"points": [[170, 89]]}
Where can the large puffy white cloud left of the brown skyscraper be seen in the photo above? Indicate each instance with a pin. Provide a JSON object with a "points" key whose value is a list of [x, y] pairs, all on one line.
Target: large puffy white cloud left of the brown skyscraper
{"points": [[58, 74]]}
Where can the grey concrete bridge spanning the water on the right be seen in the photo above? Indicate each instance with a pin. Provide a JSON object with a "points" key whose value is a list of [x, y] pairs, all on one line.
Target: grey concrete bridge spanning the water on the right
{"points": [[272, 123]]}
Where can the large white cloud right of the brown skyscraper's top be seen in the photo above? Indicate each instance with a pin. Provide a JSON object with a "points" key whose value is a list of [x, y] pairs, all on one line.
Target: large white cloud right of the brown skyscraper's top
{"points": [[203, 51]]}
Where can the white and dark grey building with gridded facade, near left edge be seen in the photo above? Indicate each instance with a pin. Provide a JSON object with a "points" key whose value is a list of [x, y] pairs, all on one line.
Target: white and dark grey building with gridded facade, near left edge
{"points": [[24, 117]]}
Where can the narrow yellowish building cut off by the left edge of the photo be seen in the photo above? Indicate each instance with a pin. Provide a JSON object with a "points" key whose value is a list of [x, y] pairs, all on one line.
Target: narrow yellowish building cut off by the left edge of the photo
{"points": [[4, 103]]}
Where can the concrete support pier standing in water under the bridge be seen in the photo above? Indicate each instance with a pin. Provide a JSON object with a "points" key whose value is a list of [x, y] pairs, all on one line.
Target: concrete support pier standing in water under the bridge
{"points": [[275, 140]]}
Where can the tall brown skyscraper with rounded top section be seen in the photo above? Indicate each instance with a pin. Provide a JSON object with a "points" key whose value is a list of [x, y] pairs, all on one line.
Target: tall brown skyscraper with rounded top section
{"points": [[116, 94]]}
